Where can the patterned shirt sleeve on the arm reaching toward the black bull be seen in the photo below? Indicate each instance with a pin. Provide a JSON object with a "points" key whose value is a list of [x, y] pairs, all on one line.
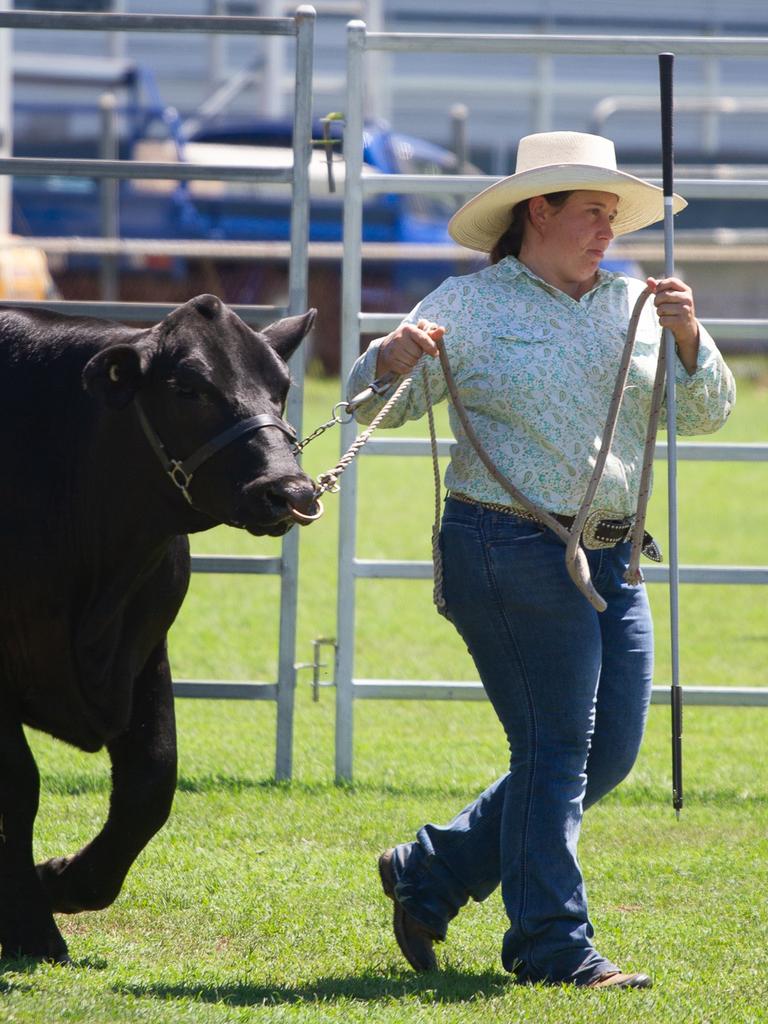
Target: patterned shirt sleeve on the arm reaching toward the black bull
{"points": [[414, 404]]}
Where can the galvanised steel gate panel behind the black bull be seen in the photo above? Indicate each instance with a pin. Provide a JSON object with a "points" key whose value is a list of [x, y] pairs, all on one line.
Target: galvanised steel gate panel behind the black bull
{"points": [[302, 28]]}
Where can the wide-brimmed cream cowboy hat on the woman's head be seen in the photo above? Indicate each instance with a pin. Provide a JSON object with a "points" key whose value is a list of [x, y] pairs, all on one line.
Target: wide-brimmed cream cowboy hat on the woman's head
{"points": [[558, 161]]}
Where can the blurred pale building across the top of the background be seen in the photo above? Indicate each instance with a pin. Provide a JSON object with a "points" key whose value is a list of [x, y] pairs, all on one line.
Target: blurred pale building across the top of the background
{"points": [[506, 96]]}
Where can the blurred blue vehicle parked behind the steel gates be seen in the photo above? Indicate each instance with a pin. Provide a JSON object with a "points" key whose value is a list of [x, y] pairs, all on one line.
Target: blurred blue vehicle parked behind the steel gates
{"points": [[148, 131]]}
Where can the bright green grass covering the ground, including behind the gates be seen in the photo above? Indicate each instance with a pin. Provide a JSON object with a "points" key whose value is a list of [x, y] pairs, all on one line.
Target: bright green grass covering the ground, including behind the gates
{"points": [[260, 903]]}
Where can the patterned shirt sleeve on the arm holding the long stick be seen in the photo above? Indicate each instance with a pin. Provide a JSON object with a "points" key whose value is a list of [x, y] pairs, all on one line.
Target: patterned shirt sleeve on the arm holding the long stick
{"points": [[706, 398]]}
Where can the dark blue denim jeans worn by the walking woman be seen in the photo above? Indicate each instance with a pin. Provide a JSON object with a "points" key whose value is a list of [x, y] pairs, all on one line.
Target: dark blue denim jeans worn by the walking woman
{"points": [[572, 690]]}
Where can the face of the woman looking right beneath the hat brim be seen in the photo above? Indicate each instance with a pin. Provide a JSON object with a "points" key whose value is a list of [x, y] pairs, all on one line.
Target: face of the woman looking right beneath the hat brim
{"points": [[573, 238]]}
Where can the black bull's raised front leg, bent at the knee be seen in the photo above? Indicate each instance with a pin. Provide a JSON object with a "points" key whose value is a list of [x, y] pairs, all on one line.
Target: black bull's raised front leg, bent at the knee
{"points": [[144, 775]]}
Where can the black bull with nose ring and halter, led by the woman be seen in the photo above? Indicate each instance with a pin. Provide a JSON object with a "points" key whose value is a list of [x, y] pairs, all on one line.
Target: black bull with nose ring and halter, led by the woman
{"points": [[115, 444]]}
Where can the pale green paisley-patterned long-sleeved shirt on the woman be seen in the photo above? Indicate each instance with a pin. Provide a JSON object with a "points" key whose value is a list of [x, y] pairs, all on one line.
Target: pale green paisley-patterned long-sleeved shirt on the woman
{"points": [[536, 370]]}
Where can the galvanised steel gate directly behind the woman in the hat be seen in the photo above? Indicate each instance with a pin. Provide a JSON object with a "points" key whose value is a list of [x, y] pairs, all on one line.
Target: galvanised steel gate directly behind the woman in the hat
{"points": [[355, 323]]}
